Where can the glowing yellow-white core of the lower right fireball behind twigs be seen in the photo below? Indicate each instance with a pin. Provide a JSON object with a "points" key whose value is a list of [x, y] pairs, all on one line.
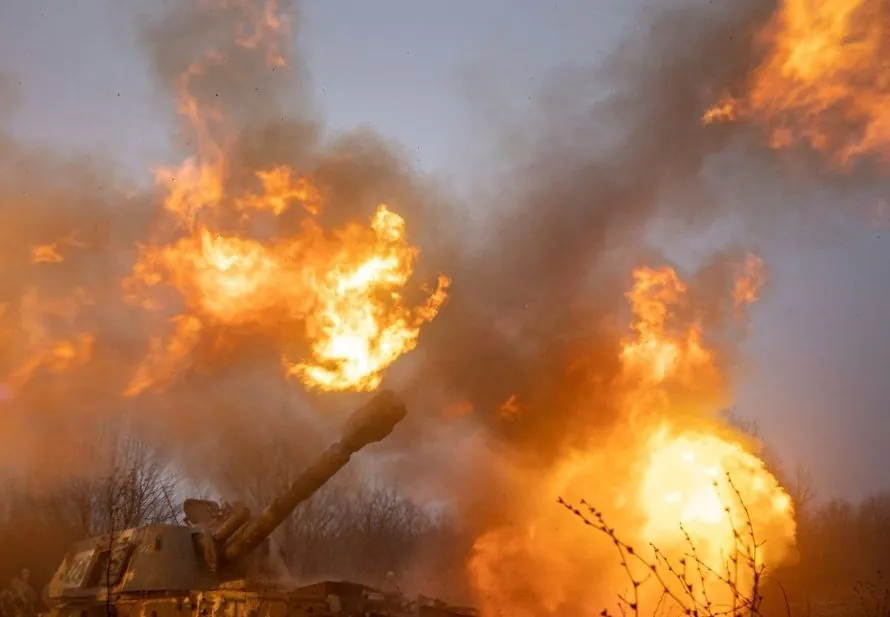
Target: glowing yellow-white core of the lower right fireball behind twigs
{"points": [[686, 490]]}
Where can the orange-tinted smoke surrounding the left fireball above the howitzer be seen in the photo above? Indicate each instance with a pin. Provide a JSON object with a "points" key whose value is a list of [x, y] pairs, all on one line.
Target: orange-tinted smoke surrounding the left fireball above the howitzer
{"points": [[73, 227]]}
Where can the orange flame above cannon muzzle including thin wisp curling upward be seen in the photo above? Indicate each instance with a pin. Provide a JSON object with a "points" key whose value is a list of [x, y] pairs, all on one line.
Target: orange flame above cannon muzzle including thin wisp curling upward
{"points": [[338, 292]]}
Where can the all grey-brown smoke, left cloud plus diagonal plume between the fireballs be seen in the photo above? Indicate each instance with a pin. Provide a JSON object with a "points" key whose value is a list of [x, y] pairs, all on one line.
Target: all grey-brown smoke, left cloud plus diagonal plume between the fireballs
{"points": [[540, 289]]}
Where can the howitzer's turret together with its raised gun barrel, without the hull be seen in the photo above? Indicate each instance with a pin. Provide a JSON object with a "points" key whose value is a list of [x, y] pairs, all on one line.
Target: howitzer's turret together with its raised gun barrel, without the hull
{"points": [[216, 545]]}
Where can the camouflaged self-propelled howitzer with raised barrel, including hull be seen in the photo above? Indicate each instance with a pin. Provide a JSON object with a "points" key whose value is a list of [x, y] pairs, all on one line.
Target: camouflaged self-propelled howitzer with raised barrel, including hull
{"points": [[212, 564]]}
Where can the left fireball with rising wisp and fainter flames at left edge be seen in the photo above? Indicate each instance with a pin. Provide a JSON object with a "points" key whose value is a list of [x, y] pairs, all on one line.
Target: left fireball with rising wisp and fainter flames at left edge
{"points": [[334, 305]]}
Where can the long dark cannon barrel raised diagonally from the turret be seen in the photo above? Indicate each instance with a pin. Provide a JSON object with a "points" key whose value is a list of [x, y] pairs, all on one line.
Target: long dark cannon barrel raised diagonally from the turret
{"points": [[371, 423]]}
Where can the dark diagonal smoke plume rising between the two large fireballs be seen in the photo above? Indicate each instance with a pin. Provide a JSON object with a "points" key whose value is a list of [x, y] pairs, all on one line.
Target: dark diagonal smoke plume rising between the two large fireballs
{"points": [[538, 303]]}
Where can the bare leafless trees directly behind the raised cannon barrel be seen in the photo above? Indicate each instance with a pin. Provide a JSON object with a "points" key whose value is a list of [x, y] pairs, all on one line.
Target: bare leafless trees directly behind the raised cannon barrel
{"points": [[354, 527]]}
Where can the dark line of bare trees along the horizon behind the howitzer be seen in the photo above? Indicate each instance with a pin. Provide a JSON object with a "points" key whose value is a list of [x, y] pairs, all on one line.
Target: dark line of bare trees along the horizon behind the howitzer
{"points": [[359, 529]]}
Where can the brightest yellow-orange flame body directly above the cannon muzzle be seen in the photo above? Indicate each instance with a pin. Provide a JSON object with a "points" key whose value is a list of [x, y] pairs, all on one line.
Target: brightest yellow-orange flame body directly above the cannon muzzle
{"points": [[341, 290]]}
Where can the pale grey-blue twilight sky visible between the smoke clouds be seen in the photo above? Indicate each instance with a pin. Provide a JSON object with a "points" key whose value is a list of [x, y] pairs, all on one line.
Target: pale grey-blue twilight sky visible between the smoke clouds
{"points": [[816, 380]]}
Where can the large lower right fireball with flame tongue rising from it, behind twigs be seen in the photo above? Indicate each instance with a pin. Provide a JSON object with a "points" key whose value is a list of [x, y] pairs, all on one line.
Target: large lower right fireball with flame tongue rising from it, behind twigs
{"points": [[659, 475]]}
